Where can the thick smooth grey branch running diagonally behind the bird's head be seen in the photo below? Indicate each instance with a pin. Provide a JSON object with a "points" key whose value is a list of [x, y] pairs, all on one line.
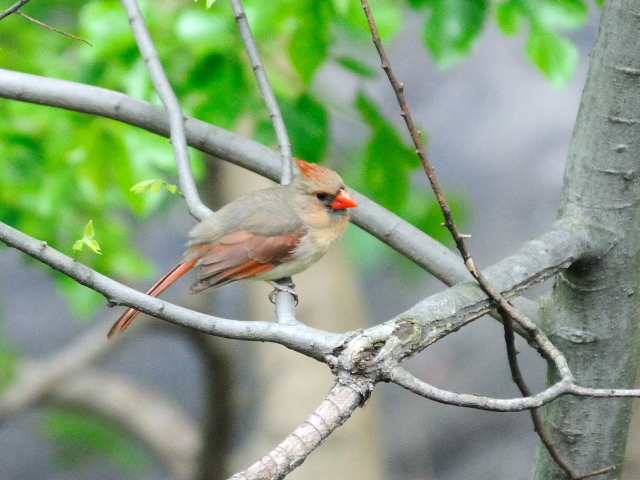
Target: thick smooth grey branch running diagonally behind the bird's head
{"points": [[388, 227]]}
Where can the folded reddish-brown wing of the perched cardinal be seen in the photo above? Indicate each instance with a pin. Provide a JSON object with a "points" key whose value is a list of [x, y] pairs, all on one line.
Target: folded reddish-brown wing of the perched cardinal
{"points": [[240, 254]]}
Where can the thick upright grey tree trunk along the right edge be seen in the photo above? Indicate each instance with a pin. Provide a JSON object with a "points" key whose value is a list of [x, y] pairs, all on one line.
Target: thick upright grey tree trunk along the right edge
{"points": [[592, 313]]}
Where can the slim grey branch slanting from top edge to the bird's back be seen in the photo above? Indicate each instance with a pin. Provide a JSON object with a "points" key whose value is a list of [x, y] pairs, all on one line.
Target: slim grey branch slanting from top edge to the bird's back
{"points": [[171, 104]]}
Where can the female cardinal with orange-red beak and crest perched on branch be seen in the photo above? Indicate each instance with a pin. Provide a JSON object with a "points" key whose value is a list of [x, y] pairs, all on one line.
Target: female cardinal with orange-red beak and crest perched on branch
{"points": [[264, 235]]}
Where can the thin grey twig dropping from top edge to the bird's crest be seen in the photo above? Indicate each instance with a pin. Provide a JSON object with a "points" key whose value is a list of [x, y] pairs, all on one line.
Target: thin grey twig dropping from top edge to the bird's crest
{"points": [[267, 91]]}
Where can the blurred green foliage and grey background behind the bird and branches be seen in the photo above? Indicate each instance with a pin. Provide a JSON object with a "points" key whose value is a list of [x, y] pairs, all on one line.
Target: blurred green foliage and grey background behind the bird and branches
{"points": [[497, 110]]}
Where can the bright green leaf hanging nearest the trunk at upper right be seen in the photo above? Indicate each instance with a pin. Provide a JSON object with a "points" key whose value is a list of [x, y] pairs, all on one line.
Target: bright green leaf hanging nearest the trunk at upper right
{"points": [[556, 56]]}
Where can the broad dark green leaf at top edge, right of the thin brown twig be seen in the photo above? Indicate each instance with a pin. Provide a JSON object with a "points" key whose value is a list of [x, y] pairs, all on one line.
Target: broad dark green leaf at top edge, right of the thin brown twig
{"points": [[453, 29]]}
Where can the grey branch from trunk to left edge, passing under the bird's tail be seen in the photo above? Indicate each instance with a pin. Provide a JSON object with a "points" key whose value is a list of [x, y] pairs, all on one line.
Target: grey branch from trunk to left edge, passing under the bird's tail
{"points": [[434, 317]]}
